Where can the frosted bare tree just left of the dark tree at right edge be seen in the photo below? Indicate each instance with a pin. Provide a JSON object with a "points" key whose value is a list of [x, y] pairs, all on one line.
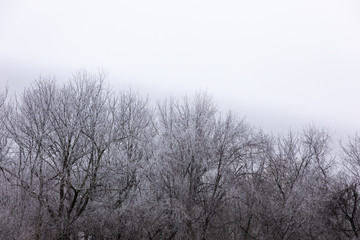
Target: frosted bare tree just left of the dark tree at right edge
{"points": [[297, 169]]}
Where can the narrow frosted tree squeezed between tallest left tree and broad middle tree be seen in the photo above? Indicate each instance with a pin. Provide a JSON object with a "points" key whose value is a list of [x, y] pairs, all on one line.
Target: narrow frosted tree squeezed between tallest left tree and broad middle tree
{"points": [[124, 186]]}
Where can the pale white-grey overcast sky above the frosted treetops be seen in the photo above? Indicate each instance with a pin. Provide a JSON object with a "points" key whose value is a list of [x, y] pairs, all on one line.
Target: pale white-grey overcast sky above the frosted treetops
{"points": [[281, 64]]}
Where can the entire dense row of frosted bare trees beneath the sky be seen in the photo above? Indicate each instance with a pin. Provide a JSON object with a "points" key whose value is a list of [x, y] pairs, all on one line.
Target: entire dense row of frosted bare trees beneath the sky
{"points": [[79, 161]]}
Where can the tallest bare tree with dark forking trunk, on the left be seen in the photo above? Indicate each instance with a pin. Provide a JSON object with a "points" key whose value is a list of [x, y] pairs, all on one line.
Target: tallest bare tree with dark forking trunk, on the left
{"points": [[61, 140]]}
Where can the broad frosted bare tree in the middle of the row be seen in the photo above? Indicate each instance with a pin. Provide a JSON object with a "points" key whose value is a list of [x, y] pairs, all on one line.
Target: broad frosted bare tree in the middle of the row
{"points": [[200, 150]]}
